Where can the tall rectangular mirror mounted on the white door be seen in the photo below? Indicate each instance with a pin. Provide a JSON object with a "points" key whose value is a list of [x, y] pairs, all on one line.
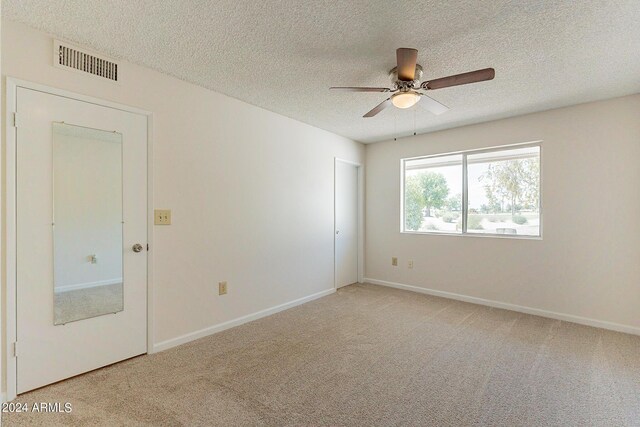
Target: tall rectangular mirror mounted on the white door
{"points": [[87, 217]]}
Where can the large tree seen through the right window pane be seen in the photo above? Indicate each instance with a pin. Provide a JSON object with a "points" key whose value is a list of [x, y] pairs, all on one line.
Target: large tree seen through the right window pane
{"points": [[516, 182]]}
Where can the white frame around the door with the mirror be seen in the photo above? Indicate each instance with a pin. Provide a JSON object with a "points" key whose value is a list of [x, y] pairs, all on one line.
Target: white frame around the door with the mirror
{"points": [[12, 85]]}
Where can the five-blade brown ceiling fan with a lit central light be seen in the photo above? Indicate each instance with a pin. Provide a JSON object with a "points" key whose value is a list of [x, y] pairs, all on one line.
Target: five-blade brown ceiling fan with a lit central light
{"points": [[406, 79]]}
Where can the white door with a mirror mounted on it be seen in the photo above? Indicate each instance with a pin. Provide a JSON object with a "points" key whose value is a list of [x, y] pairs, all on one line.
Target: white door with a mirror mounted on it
{"points": [[81, 207]]}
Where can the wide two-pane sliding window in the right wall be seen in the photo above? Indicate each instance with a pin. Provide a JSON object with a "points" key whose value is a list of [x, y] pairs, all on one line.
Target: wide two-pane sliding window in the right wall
{"points": [[494, 191]]}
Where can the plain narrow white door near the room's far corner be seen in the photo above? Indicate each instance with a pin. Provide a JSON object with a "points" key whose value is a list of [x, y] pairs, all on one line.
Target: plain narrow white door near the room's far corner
{"points": [[346, 214]]}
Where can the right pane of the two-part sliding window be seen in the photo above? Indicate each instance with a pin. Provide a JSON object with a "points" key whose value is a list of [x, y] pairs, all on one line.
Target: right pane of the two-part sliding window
{"points": [[504, 192]]}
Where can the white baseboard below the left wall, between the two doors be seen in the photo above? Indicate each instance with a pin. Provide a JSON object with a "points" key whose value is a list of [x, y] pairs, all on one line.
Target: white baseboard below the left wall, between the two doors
{"points": [[173, 342]]}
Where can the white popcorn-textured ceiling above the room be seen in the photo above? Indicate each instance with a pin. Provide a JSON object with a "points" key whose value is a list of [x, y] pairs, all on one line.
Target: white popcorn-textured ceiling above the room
{"points": [[284, 55]]}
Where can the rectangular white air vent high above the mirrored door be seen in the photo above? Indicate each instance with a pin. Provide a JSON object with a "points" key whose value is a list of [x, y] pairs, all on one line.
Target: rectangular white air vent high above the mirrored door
{"points": [[69, 57]]}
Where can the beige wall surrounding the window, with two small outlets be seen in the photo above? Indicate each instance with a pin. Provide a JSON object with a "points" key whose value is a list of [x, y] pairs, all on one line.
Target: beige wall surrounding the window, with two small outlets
{"points": [[588, 262]]}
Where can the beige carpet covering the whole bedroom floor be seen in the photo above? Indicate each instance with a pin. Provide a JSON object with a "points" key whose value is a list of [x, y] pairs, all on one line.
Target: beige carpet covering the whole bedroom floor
{"points": [[368, 355]]}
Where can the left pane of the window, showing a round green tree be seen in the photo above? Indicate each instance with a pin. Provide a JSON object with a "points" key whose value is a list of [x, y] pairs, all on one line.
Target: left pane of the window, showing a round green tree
{"points": [[433, 194]]}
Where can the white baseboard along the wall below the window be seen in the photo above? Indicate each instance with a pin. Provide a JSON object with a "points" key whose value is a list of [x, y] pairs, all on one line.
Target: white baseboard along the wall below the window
{"points": [[513, 307]]}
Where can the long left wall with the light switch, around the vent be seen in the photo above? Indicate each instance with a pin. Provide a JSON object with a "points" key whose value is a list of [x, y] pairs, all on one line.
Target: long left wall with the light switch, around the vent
{"points": [[251, 191]]}
